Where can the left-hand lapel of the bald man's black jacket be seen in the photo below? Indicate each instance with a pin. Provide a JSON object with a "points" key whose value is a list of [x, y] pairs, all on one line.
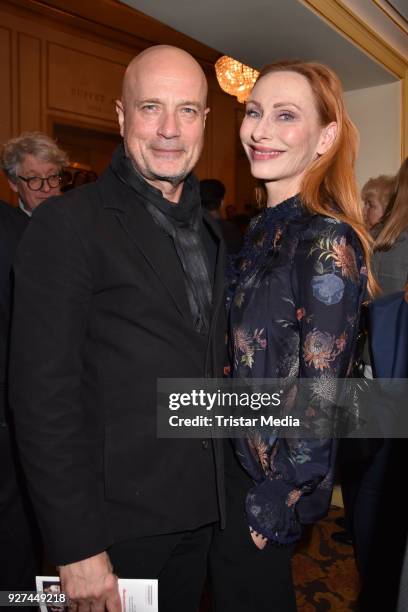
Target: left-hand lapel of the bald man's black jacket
{"points": [[136, 222]]}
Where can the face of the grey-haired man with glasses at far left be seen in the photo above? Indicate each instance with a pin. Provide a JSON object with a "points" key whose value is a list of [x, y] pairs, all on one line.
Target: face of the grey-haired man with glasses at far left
{"points": [[33, 166]]}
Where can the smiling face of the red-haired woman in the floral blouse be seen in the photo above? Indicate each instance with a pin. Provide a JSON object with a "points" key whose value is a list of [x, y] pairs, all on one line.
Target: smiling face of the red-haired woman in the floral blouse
{"points": [[281, 132]]}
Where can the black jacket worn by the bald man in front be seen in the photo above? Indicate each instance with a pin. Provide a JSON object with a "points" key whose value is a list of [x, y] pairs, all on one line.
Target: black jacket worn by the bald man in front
{"points": [[100, 313]]}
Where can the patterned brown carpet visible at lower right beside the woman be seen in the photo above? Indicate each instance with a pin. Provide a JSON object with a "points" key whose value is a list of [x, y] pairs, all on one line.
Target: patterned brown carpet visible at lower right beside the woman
{"points": [[324, 572]]}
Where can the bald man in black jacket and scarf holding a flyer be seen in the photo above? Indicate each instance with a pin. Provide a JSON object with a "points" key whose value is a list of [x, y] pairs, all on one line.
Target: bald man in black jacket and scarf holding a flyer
{"points": [[119, 283]]}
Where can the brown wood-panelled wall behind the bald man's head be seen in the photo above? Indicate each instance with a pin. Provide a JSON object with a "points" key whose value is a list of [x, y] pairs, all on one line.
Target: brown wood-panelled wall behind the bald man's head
{"points": [[61, 69]]}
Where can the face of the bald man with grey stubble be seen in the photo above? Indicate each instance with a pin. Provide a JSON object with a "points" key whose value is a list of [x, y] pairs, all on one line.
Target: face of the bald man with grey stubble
{"points": [[162, 121]]}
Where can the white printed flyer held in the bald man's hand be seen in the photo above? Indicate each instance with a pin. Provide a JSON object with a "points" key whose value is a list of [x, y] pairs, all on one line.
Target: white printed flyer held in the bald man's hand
{"points": [[137, 595]]}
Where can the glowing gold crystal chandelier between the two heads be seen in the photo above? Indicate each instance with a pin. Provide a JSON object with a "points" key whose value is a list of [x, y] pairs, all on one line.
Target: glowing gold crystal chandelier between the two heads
{"points": [[235, 78]]}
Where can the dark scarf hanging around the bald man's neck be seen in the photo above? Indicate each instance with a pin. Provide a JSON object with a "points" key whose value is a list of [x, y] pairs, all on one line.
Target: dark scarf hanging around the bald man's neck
{"points": [[182, 222]]}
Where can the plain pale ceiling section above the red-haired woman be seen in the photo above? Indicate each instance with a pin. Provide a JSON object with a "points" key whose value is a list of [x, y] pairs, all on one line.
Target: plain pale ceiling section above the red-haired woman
{"points": [[258, 32]]}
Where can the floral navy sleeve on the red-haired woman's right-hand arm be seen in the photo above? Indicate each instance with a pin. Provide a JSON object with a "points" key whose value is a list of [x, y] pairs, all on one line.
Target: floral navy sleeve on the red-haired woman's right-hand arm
{"points": [[328, 282]]}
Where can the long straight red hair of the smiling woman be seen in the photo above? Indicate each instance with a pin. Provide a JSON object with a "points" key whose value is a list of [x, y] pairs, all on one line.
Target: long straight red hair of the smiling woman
{"points": [[329, 185]]}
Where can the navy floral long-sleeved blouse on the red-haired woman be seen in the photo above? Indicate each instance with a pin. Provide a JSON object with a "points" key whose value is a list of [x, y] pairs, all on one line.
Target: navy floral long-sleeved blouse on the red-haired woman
{"points": [[296, 290]]}
